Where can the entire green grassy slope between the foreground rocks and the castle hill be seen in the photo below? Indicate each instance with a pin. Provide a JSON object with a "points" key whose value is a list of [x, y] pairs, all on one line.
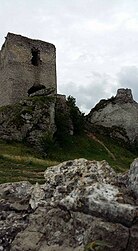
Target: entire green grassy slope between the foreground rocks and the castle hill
{"points": [[19, 162]]}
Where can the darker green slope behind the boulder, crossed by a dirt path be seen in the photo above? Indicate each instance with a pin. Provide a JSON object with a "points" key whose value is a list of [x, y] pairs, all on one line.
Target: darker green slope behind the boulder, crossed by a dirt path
{"points": [[83, 146]]}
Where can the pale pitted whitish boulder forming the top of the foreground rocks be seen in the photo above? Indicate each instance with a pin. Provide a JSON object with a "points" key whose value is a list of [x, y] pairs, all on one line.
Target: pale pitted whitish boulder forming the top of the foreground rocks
{"points": [[87, 186]]}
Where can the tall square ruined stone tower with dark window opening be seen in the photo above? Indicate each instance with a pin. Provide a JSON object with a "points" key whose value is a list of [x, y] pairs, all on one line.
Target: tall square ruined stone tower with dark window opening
{"points": [[26, 66]]}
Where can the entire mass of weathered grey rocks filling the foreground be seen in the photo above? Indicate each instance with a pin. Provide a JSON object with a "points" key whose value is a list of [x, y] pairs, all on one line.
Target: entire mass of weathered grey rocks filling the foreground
{"points": [[80, 203]]}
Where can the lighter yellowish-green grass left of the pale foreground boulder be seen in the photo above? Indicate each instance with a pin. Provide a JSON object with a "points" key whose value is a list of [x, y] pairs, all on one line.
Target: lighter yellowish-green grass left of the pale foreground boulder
{"points": [[19, 162]]}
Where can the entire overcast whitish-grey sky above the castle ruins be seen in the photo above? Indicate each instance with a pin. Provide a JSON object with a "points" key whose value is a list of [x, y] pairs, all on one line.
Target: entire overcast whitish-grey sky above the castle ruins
{"points": [[96, 41]]}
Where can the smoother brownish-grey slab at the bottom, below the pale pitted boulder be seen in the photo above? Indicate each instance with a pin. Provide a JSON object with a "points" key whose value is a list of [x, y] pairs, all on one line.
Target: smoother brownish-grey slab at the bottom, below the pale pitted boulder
{"points": [[67, 230]]}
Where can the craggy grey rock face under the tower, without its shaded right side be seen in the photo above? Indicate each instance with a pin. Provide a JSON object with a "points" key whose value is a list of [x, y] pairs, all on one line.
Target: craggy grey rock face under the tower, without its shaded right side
{"points": [[28, 120]]}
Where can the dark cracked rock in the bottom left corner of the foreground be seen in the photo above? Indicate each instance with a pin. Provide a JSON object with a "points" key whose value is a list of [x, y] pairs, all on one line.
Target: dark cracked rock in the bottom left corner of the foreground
{"points": [[14, 211]]}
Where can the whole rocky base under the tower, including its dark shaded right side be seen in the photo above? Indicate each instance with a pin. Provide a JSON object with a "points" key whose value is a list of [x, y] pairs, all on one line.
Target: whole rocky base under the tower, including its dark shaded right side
{"points": [[36, 119]]}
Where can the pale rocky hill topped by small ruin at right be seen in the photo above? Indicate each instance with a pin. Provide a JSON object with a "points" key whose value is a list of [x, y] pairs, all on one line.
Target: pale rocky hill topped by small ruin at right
{"points": [[118, 116]]}
